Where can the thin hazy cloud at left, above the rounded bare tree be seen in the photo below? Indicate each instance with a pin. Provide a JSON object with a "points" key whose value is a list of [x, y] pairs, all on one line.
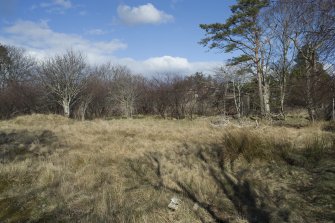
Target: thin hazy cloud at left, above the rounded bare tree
{"points": [[40, 40]]}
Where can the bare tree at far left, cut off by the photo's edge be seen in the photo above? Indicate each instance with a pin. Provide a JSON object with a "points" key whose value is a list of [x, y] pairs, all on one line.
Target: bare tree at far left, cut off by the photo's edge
{"points": [[18, 91]]}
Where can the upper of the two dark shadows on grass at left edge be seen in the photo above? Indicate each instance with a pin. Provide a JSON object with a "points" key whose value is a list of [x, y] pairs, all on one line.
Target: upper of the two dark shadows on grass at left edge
{"points": [[23, 144]]}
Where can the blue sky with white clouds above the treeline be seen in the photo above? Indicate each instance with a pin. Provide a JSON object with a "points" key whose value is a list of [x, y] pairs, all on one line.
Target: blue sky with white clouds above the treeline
{"points": [[150, 37]]}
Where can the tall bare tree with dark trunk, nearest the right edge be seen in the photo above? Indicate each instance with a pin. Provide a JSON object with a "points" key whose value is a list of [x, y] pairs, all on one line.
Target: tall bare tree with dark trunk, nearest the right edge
{"points": [[314, 38]]}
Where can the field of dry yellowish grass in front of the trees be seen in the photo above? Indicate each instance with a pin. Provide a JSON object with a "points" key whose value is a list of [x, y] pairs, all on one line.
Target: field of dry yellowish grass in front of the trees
{"points": [[54, 169]]}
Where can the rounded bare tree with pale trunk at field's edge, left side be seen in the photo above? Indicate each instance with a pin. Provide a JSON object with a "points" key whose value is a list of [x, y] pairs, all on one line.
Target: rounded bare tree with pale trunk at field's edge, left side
{"points": [[64, 75]]}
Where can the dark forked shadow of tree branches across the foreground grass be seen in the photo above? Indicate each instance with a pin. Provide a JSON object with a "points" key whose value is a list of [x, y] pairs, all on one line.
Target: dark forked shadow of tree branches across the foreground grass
{"points": [[148, 171]]}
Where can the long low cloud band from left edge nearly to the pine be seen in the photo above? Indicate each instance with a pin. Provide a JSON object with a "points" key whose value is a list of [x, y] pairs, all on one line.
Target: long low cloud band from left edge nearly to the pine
{"points": [[41, 41]]}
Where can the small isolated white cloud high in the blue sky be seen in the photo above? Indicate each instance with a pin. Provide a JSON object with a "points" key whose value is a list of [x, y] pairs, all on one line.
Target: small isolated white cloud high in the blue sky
{"points": [[143, 14]]}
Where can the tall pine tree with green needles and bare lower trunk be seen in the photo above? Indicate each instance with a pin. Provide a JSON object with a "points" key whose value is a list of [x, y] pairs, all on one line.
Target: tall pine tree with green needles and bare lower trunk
{"points": [[242, 32]]}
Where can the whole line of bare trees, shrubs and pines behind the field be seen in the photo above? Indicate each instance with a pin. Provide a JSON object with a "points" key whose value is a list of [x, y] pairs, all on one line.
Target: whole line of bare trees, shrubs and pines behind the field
{"points": [[285, 60]]}
